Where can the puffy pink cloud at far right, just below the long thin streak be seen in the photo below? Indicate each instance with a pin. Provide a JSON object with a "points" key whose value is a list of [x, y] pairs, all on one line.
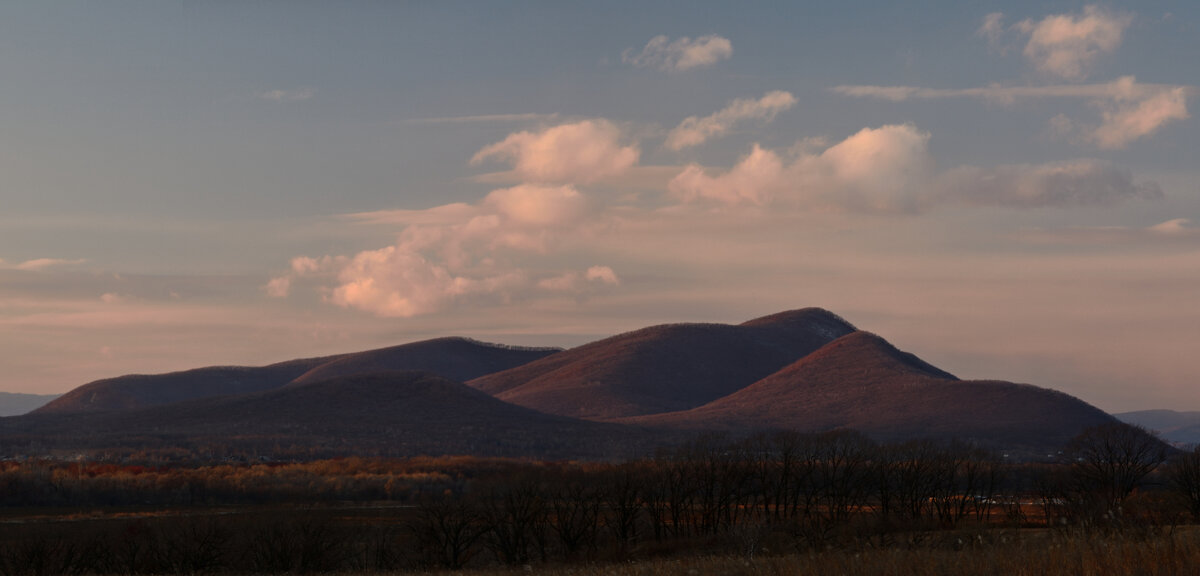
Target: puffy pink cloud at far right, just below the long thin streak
{"points": [[1126, 123]]}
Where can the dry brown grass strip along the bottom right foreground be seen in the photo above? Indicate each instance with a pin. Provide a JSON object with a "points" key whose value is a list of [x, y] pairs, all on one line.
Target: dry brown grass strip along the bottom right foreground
{"points": [[1174, 555]]}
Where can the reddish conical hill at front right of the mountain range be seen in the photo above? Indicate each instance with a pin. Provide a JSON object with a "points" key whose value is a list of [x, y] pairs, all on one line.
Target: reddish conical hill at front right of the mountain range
{"points": [[865, 383]]}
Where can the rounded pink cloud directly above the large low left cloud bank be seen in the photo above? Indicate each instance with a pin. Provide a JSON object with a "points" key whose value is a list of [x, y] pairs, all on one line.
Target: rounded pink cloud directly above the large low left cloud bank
{"points": [[579, 153]]}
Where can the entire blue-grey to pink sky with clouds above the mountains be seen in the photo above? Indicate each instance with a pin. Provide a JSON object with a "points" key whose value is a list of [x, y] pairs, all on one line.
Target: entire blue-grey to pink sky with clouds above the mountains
{"points": [[1007, 190]]}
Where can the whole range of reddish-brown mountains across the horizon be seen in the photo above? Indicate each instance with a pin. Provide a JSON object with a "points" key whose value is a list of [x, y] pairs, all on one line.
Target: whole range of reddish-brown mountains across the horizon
{"points": [[629, 394]]}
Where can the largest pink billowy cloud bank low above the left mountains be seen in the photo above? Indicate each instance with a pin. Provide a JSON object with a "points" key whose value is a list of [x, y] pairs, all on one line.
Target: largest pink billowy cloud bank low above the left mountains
{"points": [[459, 255]]}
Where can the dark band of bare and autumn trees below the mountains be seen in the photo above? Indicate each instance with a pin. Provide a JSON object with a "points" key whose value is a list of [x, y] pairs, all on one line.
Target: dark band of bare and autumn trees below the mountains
{"points": [[767, 494]]}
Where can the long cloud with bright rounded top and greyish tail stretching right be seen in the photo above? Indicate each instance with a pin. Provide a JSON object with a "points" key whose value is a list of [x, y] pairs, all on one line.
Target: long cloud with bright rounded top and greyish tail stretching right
{"points": [[890, 170]]}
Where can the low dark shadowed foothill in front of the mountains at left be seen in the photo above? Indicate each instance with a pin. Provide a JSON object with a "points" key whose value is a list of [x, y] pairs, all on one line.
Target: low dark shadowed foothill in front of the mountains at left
{"points": [[376, 415]]}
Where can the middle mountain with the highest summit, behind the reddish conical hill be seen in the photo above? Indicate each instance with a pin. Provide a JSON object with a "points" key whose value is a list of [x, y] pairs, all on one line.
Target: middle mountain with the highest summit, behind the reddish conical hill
{"points": [[664, 369]]}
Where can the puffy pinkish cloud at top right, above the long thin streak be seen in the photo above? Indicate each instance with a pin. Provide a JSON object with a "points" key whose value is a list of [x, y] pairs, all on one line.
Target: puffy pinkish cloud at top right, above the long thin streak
{"points": [[1067, 46]]}
